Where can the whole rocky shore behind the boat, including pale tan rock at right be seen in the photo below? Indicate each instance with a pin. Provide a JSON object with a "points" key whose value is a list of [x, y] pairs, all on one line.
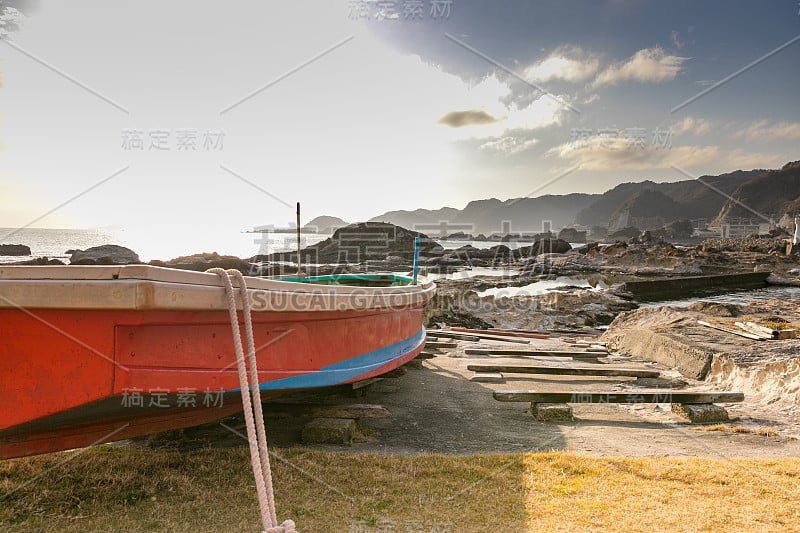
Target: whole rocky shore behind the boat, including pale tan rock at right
{"points": [[550, 286]]}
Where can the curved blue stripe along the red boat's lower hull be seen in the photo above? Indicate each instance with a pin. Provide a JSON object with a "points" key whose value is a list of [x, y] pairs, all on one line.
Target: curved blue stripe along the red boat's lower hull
{"points": [[348, 370]]}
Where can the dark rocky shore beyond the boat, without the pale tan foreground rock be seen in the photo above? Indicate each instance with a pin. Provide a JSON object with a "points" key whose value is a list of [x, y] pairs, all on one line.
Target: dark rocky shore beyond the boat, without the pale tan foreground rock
{"points": [[603, 270]]}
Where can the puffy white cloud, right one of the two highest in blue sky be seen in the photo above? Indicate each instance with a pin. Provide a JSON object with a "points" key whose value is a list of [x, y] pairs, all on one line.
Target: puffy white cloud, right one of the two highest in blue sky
{"points": [[649, 65]]}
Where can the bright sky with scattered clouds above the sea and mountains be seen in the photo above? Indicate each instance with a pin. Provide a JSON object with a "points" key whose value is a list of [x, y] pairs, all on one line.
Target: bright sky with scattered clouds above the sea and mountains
{"points": [[193, 116]]}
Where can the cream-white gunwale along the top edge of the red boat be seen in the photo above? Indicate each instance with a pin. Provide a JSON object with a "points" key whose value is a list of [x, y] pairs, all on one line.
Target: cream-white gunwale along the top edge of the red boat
{"points": [[144, 287]]}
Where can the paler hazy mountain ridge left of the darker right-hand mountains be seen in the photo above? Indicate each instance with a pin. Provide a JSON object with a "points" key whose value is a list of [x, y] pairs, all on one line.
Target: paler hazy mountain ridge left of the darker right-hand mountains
{"points": [[526, 215]]}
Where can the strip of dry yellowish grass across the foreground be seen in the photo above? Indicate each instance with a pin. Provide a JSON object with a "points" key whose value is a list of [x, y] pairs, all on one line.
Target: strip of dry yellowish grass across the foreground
{"points": [[212, 490]]}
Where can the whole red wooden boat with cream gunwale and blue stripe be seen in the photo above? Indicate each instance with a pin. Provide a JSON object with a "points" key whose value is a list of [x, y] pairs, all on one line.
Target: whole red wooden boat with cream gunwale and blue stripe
{"points": [[103, 353]]}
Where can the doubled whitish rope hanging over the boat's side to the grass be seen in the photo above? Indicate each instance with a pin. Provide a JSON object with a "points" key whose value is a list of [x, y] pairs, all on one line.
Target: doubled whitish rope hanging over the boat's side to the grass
{"points": [[251, 403]]}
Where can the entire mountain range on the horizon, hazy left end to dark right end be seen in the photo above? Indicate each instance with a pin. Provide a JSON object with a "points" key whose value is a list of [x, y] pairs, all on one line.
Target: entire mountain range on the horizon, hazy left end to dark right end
{"points": [[645, 205]]}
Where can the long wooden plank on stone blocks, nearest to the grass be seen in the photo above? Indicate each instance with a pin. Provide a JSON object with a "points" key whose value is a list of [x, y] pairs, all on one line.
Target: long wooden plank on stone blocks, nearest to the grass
{"points": [[643, 396]]}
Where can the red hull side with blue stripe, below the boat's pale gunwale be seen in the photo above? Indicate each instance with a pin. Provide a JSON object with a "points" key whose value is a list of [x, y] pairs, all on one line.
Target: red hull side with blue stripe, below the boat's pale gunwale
{"points": [[77, 377]]}
